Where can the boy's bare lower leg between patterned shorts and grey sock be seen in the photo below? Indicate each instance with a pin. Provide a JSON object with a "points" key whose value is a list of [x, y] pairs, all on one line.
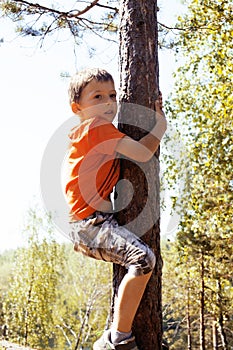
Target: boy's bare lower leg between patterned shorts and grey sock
{"points": [[130, 294]]}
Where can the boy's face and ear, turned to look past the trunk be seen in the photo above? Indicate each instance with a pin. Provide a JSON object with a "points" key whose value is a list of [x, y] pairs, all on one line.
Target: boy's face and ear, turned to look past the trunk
{"points": [[98, 99]]}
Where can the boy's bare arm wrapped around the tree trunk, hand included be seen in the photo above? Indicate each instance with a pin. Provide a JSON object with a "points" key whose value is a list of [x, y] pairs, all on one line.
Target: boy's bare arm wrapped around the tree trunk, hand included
{"points": [[144, 149]]}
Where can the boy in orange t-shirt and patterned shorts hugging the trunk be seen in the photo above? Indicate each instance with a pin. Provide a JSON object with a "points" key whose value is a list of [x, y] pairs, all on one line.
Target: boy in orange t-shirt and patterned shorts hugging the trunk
{"points": [[94, 171]]}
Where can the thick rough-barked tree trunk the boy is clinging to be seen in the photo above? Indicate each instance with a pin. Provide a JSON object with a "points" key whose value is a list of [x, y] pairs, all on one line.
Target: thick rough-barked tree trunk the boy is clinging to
{"points": [[139, 86]]}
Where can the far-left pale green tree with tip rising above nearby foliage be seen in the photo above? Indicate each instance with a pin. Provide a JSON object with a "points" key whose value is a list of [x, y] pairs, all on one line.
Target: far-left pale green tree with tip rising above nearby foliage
{"points": [[32, 291]]}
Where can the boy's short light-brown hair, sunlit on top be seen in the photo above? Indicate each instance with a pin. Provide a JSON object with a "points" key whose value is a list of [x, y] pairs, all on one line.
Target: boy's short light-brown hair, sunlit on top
{"points": [[82, 78]]}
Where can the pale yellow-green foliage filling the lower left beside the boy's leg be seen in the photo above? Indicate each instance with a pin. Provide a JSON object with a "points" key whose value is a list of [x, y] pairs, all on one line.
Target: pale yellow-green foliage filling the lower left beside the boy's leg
{"points": [[52, 297]]}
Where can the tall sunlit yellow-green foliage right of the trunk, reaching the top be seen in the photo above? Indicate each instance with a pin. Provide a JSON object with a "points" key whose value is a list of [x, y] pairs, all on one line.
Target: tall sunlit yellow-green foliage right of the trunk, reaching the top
{"points": [[201, 107]]}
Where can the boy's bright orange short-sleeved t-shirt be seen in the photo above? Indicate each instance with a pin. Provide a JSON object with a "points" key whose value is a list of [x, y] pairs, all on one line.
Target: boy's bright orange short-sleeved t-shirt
{"points": [[94, 168]]}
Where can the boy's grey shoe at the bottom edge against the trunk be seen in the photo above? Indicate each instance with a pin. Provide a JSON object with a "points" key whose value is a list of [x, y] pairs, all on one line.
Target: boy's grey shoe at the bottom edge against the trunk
{"points": [[104, 343]]}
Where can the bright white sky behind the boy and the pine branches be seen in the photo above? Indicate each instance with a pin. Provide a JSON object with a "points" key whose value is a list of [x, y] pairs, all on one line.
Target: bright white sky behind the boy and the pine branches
{"points": [[34, 104]]}
